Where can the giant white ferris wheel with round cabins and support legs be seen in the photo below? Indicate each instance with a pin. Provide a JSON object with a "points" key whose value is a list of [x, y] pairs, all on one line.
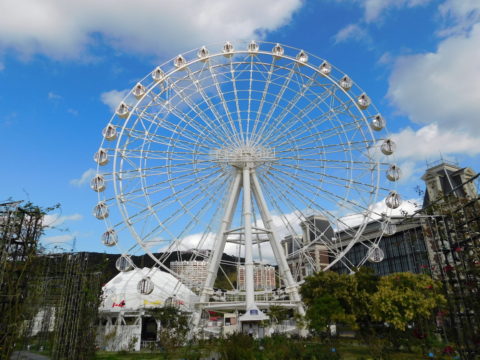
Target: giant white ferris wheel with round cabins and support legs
{"points": [[245, 155]]}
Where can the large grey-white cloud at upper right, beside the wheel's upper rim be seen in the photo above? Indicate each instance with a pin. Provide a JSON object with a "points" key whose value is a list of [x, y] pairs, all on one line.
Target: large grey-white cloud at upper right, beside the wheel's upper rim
{"points": [[441, 86]]}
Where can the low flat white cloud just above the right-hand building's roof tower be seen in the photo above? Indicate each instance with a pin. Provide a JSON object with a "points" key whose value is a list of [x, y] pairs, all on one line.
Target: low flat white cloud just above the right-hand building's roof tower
{"points": [[431, 141]]}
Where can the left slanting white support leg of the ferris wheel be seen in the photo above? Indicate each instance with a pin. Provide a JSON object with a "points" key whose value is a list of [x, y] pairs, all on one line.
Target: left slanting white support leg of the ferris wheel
{"points": [[219, 246]]}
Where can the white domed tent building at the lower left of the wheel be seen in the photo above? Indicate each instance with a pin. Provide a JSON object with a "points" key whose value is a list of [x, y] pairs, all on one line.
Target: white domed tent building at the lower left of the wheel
{"points": [[123, 308]]}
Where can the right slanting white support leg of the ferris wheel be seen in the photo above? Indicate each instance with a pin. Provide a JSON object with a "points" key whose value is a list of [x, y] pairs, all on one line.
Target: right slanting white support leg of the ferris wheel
{"points": [[275, 244]]}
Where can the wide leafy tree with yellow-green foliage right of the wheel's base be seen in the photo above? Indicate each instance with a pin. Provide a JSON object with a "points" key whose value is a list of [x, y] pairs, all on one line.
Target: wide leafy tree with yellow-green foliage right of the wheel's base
{"points": [[386, 312]]}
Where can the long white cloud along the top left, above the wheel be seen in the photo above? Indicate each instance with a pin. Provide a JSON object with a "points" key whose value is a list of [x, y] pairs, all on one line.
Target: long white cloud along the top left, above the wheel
{"points": [[65, 29]]}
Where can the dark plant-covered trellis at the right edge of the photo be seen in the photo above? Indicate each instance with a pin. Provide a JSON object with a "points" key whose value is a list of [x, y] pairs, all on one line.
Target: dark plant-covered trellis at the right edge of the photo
{"points": [[452, 230]]}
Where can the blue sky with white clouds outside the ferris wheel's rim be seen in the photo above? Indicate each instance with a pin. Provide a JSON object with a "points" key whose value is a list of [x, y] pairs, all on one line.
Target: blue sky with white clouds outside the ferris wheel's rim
{"points": [[63, 65]]}
